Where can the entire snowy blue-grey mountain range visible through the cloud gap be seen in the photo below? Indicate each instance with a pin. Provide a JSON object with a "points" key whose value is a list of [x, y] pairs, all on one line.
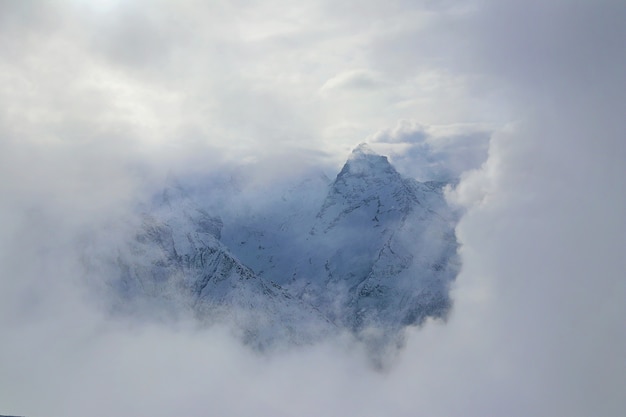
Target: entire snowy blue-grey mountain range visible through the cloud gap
{"points": [[369, 252]]}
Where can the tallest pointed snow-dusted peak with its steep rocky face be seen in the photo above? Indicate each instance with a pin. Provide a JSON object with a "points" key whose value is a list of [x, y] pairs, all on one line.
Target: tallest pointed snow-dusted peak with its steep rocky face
{"points": [[387, 245]]}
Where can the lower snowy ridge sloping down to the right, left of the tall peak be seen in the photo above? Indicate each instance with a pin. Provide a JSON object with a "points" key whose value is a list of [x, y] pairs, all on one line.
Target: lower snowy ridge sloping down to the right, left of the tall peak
{"points": [[177, 261]]}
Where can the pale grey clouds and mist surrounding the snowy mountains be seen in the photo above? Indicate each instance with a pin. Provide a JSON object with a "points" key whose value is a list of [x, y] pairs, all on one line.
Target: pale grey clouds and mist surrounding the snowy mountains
{"points": [[101, 97]]}
